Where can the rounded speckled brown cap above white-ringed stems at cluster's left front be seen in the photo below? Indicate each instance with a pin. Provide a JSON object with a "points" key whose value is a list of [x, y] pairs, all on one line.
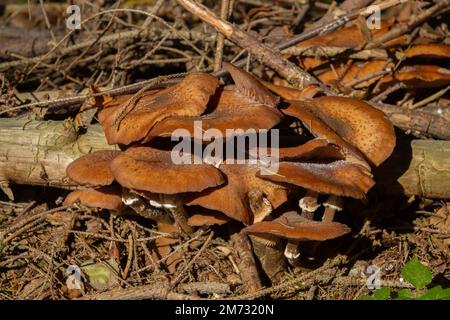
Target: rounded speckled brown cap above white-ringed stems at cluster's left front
{"points": [[149, 169]]}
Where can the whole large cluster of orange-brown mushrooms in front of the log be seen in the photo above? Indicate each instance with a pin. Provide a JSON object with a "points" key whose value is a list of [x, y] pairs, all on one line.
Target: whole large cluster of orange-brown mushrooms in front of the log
{"points": [[330, 153]]}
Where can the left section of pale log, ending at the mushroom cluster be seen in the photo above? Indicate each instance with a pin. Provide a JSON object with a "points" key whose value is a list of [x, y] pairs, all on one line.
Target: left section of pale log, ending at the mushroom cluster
{"points": [[38, 152]]}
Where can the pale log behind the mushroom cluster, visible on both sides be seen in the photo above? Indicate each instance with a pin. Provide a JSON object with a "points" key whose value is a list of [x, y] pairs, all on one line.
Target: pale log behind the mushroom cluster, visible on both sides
{"points": [[38, 152]]}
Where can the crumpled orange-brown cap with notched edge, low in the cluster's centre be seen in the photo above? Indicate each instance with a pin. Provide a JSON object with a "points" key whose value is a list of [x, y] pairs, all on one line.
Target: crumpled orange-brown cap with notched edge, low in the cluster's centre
{"points": [[232, 198]]}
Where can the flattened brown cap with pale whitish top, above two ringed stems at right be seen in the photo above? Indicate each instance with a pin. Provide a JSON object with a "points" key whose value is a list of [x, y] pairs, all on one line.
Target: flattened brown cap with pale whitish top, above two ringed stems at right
{"points": [[340, 178]]}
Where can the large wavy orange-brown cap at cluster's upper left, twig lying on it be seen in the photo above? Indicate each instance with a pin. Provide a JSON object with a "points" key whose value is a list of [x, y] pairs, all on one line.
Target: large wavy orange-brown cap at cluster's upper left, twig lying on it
{"points": [[189, 97]]}
